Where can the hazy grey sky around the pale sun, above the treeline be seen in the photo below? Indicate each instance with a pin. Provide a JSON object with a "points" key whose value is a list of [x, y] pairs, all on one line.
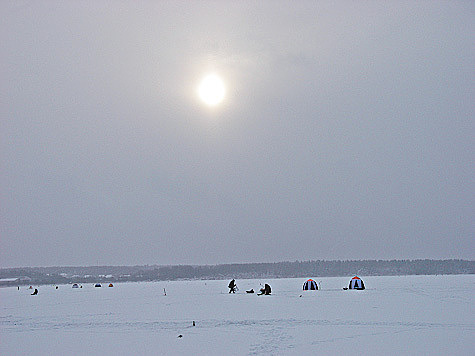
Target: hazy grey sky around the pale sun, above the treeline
{"points": [[346, 132]]}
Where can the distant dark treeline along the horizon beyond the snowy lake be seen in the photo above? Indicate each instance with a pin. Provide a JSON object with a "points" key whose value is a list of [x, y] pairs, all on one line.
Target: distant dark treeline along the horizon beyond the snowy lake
{"points": [[297, 269]]}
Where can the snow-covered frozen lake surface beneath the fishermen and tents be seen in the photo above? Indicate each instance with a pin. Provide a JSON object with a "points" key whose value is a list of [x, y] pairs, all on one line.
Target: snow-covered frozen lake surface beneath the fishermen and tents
{"points": [[409, 315]]}
